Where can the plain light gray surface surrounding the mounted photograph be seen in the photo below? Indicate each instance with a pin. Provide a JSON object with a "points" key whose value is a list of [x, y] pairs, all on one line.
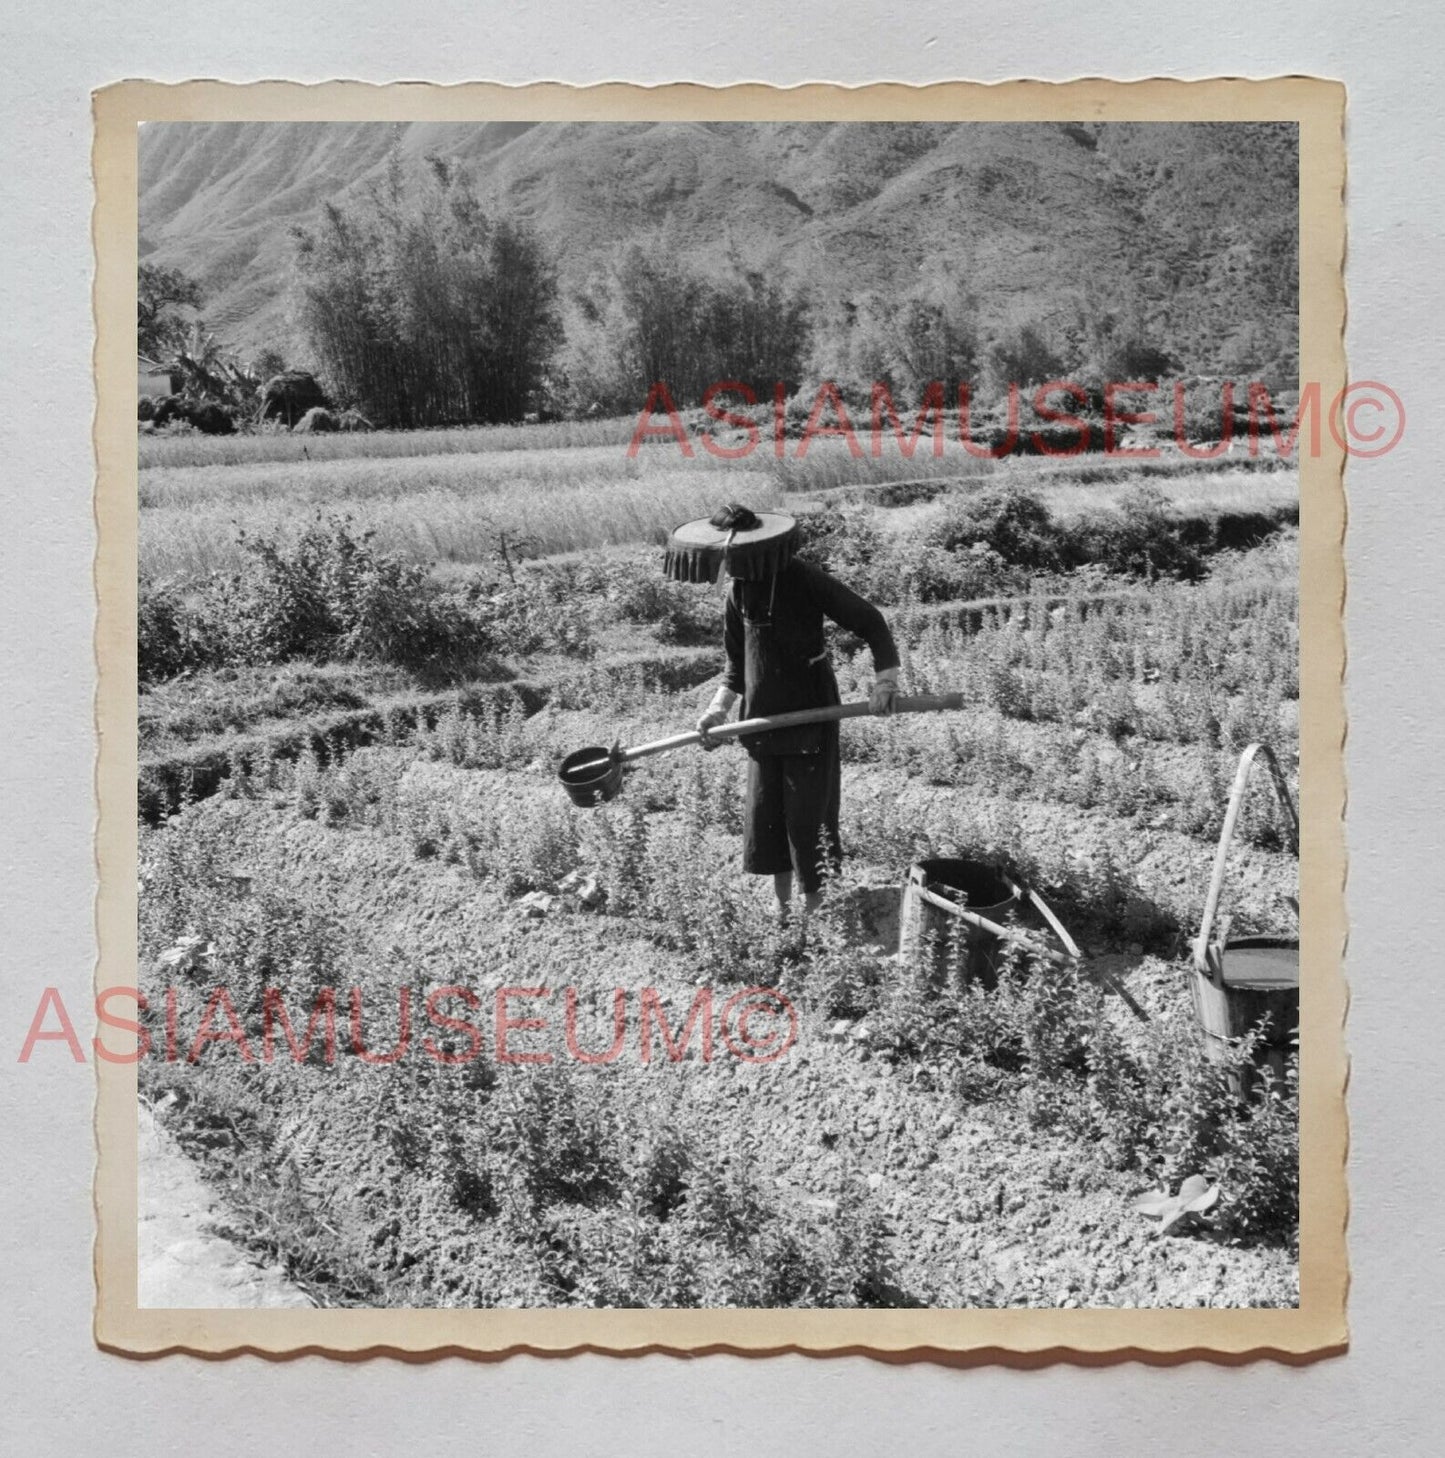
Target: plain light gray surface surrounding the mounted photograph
{"points": [[62, 1396]]}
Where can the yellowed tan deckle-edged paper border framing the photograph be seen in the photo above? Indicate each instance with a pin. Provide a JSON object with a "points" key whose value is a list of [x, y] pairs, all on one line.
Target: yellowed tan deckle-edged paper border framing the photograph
{"points": [[963, 1338]]}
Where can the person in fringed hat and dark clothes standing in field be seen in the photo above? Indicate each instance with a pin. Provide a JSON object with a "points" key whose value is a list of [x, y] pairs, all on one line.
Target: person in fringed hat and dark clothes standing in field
{"points": [[778, 663]]}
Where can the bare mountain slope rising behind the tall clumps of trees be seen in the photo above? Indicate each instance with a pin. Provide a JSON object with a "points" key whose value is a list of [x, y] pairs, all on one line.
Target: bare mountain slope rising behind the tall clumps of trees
{"points": [[1193, 224]]}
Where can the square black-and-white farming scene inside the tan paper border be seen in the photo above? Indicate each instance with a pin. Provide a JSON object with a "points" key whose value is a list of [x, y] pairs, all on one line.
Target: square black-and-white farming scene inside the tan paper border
{"points": [[720, 714]]}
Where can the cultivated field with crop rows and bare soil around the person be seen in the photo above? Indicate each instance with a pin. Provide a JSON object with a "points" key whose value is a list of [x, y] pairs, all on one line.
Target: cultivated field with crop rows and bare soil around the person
{"points": [[345, 819]]}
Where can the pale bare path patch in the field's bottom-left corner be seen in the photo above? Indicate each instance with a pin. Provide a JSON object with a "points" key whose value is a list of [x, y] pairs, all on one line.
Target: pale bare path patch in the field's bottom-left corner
{"points": [[182, 1260]]}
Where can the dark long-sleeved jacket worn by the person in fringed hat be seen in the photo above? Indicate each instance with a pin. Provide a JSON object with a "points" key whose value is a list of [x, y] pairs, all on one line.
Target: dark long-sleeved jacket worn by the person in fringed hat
{"points": [[776, 654]]}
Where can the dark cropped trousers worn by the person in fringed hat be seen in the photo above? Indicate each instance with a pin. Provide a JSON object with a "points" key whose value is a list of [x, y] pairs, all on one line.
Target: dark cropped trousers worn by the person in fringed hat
{"points": [[791, 819]]}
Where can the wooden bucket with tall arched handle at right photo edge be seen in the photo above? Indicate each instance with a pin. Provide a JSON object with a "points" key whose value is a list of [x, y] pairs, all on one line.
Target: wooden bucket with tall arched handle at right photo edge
{"points": [[1249, 982]]}
